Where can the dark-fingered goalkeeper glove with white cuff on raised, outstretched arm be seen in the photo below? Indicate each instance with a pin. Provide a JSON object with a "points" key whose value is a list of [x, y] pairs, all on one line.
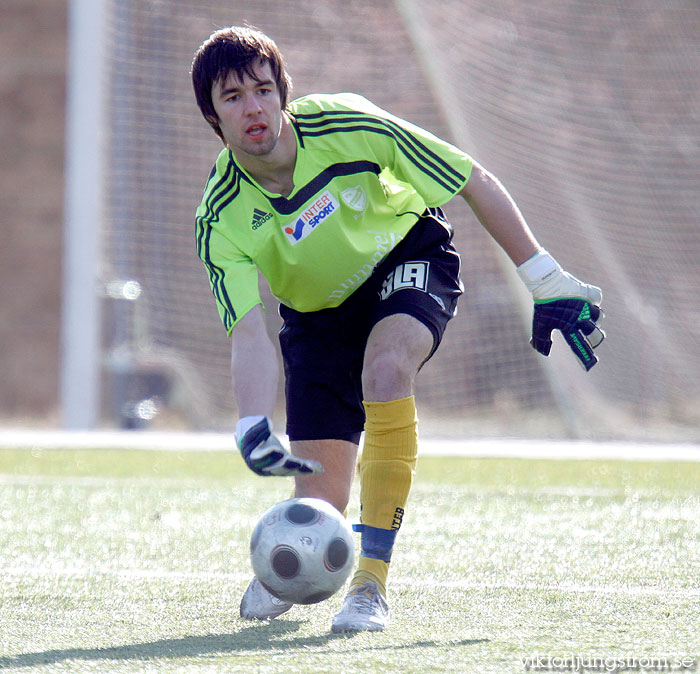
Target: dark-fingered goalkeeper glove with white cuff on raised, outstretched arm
{"points": [[562, 302]]}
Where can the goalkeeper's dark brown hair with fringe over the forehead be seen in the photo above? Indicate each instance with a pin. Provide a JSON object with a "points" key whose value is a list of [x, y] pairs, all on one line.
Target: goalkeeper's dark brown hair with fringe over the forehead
{"points": [[236, 49]]}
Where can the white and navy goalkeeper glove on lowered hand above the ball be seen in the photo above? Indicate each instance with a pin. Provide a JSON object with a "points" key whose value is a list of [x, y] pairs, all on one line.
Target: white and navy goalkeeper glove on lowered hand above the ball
{"points": [[263, 452]]}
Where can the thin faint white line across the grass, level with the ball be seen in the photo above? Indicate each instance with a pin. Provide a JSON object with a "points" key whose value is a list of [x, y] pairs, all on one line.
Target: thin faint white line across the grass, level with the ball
{"points": [[242, 577]]}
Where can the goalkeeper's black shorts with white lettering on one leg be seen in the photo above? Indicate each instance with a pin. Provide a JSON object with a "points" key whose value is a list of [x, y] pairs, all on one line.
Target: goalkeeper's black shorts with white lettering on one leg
{"points": [[323, 351]]}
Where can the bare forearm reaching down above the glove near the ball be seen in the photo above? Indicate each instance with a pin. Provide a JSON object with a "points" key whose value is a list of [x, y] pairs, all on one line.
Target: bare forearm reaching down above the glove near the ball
{"points": [[254, 367]]}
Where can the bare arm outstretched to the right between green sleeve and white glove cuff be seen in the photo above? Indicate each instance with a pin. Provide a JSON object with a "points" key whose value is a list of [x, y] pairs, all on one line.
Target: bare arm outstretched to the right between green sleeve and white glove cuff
{"points": [[499, 215]]}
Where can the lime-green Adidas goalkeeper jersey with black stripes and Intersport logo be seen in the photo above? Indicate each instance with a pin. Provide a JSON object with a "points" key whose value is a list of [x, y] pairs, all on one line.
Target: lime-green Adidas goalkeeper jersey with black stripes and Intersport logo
{"points": [[362, 179]]}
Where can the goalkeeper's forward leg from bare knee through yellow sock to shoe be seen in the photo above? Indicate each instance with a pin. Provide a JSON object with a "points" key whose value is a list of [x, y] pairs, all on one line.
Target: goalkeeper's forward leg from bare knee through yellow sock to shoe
{"points": [[397, 347]]}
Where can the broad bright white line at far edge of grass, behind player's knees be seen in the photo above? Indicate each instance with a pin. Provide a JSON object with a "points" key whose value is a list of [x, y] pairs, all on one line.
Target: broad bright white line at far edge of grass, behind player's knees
{"points": [[34, 439]]}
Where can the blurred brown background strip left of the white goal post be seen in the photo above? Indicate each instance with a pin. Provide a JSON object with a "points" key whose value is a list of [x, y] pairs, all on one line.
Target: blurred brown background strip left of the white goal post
{"points": [[32, 100]]}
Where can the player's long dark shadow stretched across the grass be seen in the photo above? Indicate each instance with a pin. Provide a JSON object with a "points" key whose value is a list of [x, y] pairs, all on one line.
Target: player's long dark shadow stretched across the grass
{"points": [[258, 637]]}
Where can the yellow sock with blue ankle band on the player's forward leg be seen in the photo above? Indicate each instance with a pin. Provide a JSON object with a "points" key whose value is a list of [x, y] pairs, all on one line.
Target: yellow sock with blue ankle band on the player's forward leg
{"points": [[386, 472]]}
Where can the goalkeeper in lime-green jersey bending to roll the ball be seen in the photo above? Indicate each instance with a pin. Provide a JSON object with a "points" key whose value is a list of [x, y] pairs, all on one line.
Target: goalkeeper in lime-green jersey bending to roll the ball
{"points": [[337, 203]]}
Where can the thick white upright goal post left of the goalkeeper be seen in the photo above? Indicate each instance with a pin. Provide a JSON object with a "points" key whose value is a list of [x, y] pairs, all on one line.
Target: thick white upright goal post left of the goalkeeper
{"points": [[85, 130]]}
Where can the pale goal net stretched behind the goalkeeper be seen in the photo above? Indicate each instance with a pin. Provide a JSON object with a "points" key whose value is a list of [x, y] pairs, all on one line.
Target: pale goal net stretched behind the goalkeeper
{"points": [[588, 112]]}
